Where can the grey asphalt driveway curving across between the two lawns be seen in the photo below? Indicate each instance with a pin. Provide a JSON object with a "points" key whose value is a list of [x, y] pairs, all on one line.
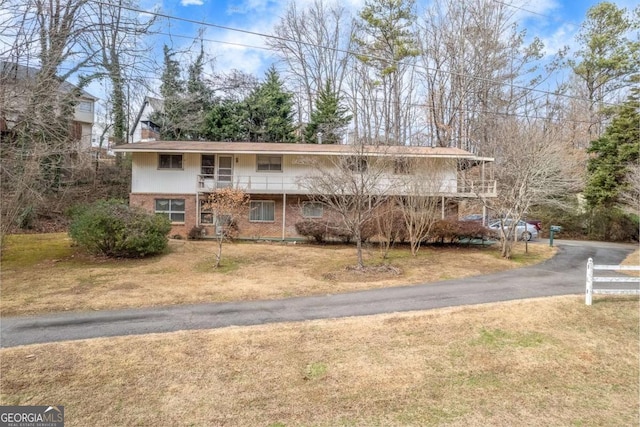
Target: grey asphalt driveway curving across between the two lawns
{"points": [[562, 275]]}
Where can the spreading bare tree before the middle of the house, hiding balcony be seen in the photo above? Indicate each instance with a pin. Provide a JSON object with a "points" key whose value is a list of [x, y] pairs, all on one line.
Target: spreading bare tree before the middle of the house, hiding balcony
{"points": [[353, 185]]}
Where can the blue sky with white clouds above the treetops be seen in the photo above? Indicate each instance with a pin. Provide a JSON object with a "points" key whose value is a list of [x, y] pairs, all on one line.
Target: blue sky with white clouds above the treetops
{"points": [[554, 21]]}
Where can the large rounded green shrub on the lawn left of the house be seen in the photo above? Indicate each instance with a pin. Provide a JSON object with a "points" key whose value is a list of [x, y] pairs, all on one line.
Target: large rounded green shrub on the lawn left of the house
{"points": [[112, 228]]}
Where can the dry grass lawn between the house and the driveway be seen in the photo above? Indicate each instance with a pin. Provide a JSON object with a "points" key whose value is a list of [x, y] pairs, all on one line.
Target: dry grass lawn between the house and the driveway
{"points": [[44, 273]]}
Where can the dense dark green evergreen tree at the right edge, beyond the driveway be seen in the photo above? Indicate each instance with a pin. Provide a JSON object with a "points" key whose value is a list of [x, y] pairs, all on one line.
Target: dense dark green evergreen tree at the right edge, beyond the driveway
{"points": [[615, 153]]}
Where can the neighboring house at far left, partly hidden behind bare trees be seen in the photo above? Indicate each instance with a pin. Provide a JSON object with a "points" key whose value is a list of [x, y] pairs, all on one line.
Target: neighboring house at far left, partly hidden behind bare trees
{"points": [[15, 83]]}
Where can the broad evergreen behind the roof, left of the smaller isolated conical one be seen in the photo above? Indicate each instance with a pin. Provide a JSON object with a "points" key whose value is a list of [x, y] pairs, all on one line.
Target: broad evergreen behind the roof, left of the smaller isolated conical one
{"points": [[270, 111]]}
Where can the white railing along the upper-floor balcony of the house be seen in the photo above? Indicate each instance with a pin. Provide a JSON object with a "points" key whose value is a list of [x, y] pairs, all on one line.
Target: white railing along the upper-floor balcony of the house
{"points": [[279, 184]]}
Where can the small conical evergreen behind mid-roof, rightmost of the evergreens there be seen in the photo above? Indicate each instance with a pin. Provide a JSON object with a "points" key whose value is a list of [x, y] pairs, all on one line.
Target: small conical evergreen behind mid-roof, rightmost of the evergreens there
{"points": [[329, 117]]}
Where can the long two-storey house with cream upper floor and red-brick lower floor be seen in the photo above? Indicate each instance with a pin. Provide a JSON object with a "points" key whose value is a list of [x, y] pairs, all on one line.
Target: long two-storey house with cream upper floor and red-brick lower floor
{"points": [[173, 178]]}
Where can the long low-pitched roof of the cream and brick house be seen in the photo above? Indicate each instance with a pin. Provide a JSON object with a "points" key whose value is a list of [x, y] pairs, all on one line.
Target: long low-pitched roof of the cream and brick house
{"points": [[282, 148]]}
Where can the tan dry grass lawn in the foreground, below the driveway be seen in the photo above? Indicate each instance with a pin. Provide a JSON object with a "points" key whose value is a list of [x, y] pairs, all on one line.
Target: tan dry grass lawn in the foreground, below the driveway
{"points": [[544, 362]]}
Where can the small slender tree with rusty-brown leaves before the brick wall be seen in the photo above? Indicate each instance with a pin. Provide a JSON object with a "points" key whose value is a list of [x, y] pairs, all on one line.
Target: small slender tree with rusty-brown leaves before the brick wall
{"points": [[225, 204]]}
